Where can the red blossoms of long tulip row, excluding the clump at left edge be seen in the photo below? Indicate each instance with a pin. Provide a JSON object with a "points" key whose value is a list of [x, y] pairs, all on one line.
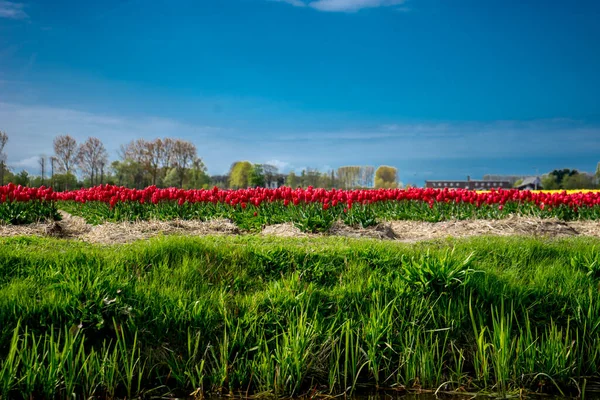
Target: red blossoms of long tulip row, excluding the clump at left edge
{"points": [[257, 196]]}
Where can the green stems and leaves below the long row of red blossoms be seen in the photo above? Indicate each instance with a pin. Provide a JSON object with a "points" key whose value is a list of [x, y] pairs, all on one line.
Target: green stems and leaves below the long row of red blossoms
{"points": [[312, 217]]}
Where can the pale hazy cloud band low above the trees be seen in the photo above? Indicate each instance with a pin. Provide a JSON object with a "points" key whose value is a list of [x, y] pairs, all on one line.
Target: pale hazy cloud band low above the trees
{"points": [[426, 146]]}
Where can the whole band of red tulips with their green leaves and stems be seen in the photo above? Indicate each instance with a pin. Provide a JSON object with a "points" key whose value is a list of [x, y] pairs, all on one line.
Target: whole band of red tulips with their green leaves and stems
{"points": [[311, 209]]}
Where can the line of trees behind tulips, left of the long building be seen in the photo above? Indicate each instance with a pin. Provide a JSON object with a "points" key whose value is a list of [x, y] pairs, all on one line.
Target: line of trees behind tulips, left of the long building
{"points": [[168, 162]]}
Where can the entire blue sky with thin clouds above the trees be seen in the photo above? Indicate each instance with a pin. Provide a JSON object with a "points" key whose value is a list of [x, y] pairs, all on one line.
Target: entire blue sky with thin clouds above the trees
{"points": [[437, 88]]}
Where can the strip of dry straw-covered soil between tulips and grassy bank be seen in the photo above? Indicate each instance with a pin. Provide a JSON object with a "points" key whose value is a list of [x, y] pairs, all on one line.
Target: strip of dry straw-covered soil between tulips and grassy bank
{"points": [[76, 228]]}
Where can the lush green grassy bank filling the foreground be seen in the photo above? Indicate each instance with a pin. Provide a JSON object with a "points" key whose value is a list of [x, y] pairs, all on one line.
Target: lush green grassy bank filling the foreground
{"points": [[285, 316]]}
